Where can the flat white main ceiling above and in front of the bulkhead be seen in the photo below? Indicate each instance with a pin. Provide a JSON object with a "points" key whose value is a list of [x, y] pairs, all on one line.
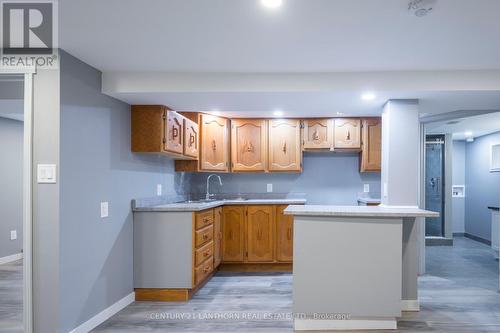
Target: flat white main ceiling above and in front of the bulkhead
{"points": [[302, 36]]}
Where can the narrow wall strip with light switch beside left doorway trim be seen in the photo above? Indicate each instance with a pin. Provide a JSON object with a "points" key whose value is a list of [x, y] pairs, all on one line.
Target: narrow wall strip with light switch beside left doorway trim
{"points": [[45, 203]]}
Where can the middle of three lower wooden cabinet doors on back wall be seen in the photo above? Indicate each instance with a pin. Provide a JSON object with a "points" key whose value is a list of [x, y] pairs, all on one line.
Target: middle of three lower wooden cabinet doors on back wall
{"points": [[260, 233]]}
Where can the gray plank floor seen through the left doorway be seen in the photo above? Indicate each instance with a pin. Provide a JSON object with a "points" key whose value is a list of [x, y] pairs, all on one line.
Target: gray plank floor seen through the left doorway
{"points": [[11, 297]]}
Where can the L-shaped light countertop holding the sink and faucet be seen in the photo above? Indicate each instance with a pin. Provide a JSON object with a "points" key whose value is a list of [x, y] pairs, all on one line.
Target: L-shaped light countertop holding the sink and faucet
{"points": [[198, 206]]}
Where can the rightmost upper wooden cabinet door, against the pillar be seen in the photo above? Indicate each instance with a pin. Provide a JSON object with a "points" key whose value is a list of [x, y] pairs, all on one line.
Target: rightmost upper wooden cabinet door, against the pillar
{"points": [[371, 156]]}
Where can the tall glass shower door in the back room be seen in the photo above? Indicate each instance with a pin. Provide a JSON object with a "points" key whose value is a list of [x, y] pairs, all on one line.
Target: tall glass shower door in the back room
{"points": [[434, 184]]}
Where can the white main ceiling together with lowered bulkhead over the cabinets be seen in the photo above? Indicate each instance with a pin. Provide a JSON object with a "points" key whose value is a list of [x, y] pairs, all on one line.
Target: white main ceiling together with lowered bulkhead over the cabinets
{"points": [[240, 37]]}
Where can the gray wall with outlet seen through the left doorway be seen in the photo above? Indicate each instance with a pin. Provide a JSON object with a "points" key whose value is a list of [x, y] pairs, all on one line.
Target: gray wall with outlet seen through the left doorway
{"points": [[11, 186]]}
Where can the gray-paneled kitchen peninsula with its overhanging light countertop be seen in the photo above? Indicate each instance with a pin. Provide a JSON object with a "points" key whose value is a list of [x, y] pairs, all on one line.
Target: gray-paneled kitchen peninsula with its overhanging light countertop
{"points": [[347, 271]]}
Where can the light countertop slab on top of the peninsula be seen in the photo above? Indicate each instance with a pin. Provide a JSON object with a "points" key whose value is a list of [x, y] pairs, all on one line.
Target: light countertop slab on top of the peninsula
{"points": [[358, 211]]}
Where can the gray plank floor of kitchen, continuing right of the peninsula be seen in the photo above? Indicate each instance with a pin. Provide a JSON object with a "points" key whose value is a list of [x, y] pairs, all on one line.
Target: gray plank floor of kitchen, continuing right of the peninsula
{"points": [[459, 293]]}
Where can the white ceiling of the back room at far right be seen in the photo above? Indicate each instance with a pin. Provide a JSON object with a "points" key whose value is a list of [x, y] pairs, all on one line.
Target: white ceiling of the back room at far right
{"points": [[478, 125]]}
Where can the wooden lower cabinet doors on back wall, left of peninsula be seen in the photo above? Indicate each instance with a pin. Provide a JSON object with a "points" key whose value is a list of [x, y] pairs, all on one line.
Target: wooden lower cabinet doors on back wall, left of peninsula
{"points": [[257, 234]]}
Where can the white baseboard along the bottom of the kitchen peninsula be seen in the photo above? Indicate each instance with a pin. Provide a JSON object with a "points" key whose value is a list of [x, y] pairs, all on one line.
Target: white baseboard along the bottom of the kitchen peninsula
{"points": [[344, 325]]}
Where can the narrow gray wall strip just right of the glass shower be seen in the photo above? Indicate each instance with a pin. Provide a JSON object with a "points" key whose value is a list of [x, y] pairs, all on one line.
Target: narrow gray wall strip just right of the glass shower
{"points": [[458, 178]]}
